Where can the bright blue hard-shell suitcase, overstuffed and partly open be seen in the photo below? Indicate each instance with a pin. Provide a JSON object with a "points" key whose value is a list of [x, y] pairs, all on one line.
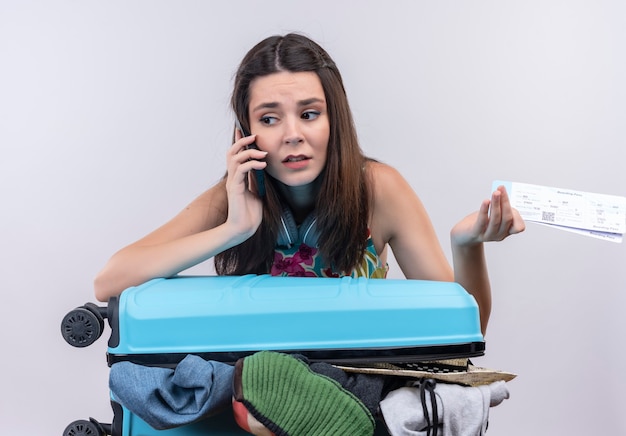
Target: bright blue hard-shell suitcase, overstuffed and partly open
{"points": [[225, 318]]}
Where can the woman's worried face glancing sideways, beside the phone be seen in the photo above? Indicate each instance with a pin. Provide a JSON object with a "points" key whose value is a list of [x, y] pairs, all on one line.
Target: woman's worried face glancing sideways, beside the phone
{"points": [[289, 116]]}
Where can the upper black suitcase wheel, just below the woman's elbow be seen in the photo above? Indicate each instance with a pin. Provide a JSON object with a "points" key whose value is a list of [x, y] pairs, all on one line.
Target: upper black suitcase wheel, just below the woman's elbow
{"points": [[82, 326]]}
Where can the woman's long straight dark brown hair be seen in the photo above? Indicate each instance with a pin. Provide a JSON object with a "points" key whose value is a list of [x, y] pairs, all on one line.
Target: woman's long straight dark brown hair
{"points": [[342, 205]]}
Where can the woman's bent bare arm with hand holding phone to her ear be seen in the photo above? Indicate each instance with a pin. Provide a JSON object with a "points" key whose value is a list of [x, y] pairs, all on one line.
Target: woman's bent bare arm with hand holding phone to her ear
{"points": [[222, 217]]}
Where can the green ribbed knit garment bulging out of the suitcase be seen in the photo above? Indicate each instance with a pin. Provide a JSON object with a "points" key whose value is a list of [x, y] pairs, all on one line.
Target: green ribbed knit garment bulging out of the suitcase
{"points": [[284, 395]]}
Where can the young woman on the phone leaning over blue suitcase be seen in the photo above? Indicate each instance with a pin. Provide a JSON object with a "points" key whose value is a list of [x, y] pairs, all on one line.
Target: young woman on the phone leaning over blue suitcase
{"points": [[326, 209]]}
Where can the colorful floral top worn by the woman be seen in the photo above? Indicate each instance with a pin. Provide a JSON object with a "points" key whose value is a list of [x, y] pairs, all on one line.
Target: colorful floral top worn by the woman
{"points": [[304, 261]]}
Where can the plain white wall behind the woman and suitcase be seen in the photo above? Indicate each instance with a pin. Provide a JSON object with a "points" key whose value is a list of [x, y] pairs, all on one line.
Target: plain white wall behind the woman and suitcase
{"points": [[114, 115]]}
